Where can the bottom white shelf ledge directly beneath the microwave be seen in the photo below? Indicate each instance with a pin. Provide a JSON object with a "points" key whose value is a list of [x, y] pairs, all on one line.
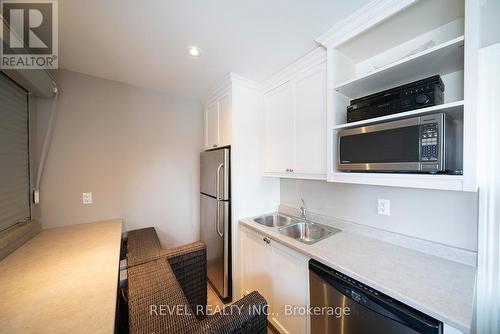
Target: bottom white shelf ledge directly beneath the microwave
{"points": [[427, 181]]}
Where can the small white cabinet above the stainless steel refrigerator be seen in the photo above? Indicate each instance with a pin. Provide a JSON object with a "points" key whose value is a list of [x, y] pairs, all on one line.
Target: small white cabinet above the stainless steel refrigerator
{"points": [[218, 122]]}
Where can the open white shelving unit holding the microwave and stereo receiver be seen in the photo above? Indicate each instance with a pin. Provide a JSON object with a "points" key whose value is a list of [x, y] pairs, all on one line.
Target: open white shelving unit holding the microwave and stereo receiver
{"points": [[382, 45]]}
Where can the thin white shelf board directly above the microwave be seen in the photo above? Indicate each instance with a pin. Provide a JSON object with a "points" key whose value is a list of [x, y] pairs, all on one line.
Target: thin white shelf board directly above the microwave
{"points": [[455, 109]]}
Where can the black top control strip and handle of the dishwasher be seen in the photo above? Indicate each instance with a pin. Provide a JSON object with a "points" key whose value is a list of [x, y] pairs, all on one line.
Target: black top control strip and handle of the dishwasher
{"points": [[376, 301]]}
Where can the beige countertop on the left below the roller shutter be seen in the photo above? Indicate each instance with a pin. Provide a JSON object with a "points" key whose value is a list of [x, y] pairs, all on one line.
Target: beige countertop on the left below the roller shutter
{"points": [[64, 280]]}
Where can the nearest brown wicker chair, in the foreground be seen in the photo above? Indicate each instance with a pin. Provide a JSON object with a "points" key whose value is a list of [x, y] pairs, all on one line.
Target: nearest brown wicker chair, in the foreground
{"points": [[169, 294]]}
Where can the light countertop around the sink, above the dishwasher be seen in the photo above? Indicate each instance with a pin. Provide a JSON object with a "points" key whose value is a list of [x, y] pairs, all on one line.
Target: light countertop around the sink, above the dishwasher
{"points": [[438, 287]]}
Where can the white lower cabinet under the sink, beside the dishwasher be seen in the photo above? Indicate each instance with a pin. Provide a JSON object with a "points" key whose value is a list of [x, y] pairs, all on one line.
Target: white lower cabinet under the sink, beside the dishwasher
{"points": [[281, 275]]}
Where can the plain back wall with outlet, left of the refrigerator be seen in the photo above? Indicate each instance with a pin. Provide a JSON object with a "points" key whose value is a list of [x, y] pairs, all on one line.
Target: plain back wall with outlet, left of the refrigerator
{"points": [[136, 150]]}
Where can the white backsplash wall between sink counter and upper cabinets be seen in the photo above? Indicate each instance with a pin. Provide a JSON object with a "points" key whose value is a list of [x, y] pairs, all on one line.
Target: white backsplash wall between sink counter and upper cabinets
{"points": [[446, 217]]}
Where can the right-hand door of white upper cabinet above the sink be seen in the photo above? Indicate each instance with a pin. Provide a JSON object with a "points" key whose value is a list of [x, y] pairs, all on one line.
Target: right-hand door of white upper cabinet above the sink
{"points": [[309, 121]]}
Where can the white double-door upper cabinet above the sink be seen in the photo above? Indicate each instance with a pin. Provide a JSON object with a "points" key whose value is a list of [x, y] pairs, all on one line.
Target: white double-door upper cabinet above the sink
{"points": [[295, 121]]}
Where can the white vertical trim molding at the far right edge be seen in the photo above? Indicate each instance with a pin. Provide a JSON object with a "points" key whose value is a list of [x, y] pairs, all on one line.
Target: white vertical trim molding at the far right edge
{"points": [[487, 318]]}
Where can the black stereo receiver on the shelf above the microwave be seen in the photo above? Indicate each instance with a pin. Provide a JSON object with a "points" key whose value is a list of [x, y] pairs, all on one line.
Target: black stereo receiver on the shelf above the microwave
{"points": [[419, 94]]}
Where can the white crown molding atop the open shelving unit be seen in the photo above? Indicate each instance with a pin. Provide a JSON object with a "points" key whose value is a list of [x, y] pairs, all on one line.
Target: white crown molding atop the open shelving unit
{"points": [[361, 20]]}
